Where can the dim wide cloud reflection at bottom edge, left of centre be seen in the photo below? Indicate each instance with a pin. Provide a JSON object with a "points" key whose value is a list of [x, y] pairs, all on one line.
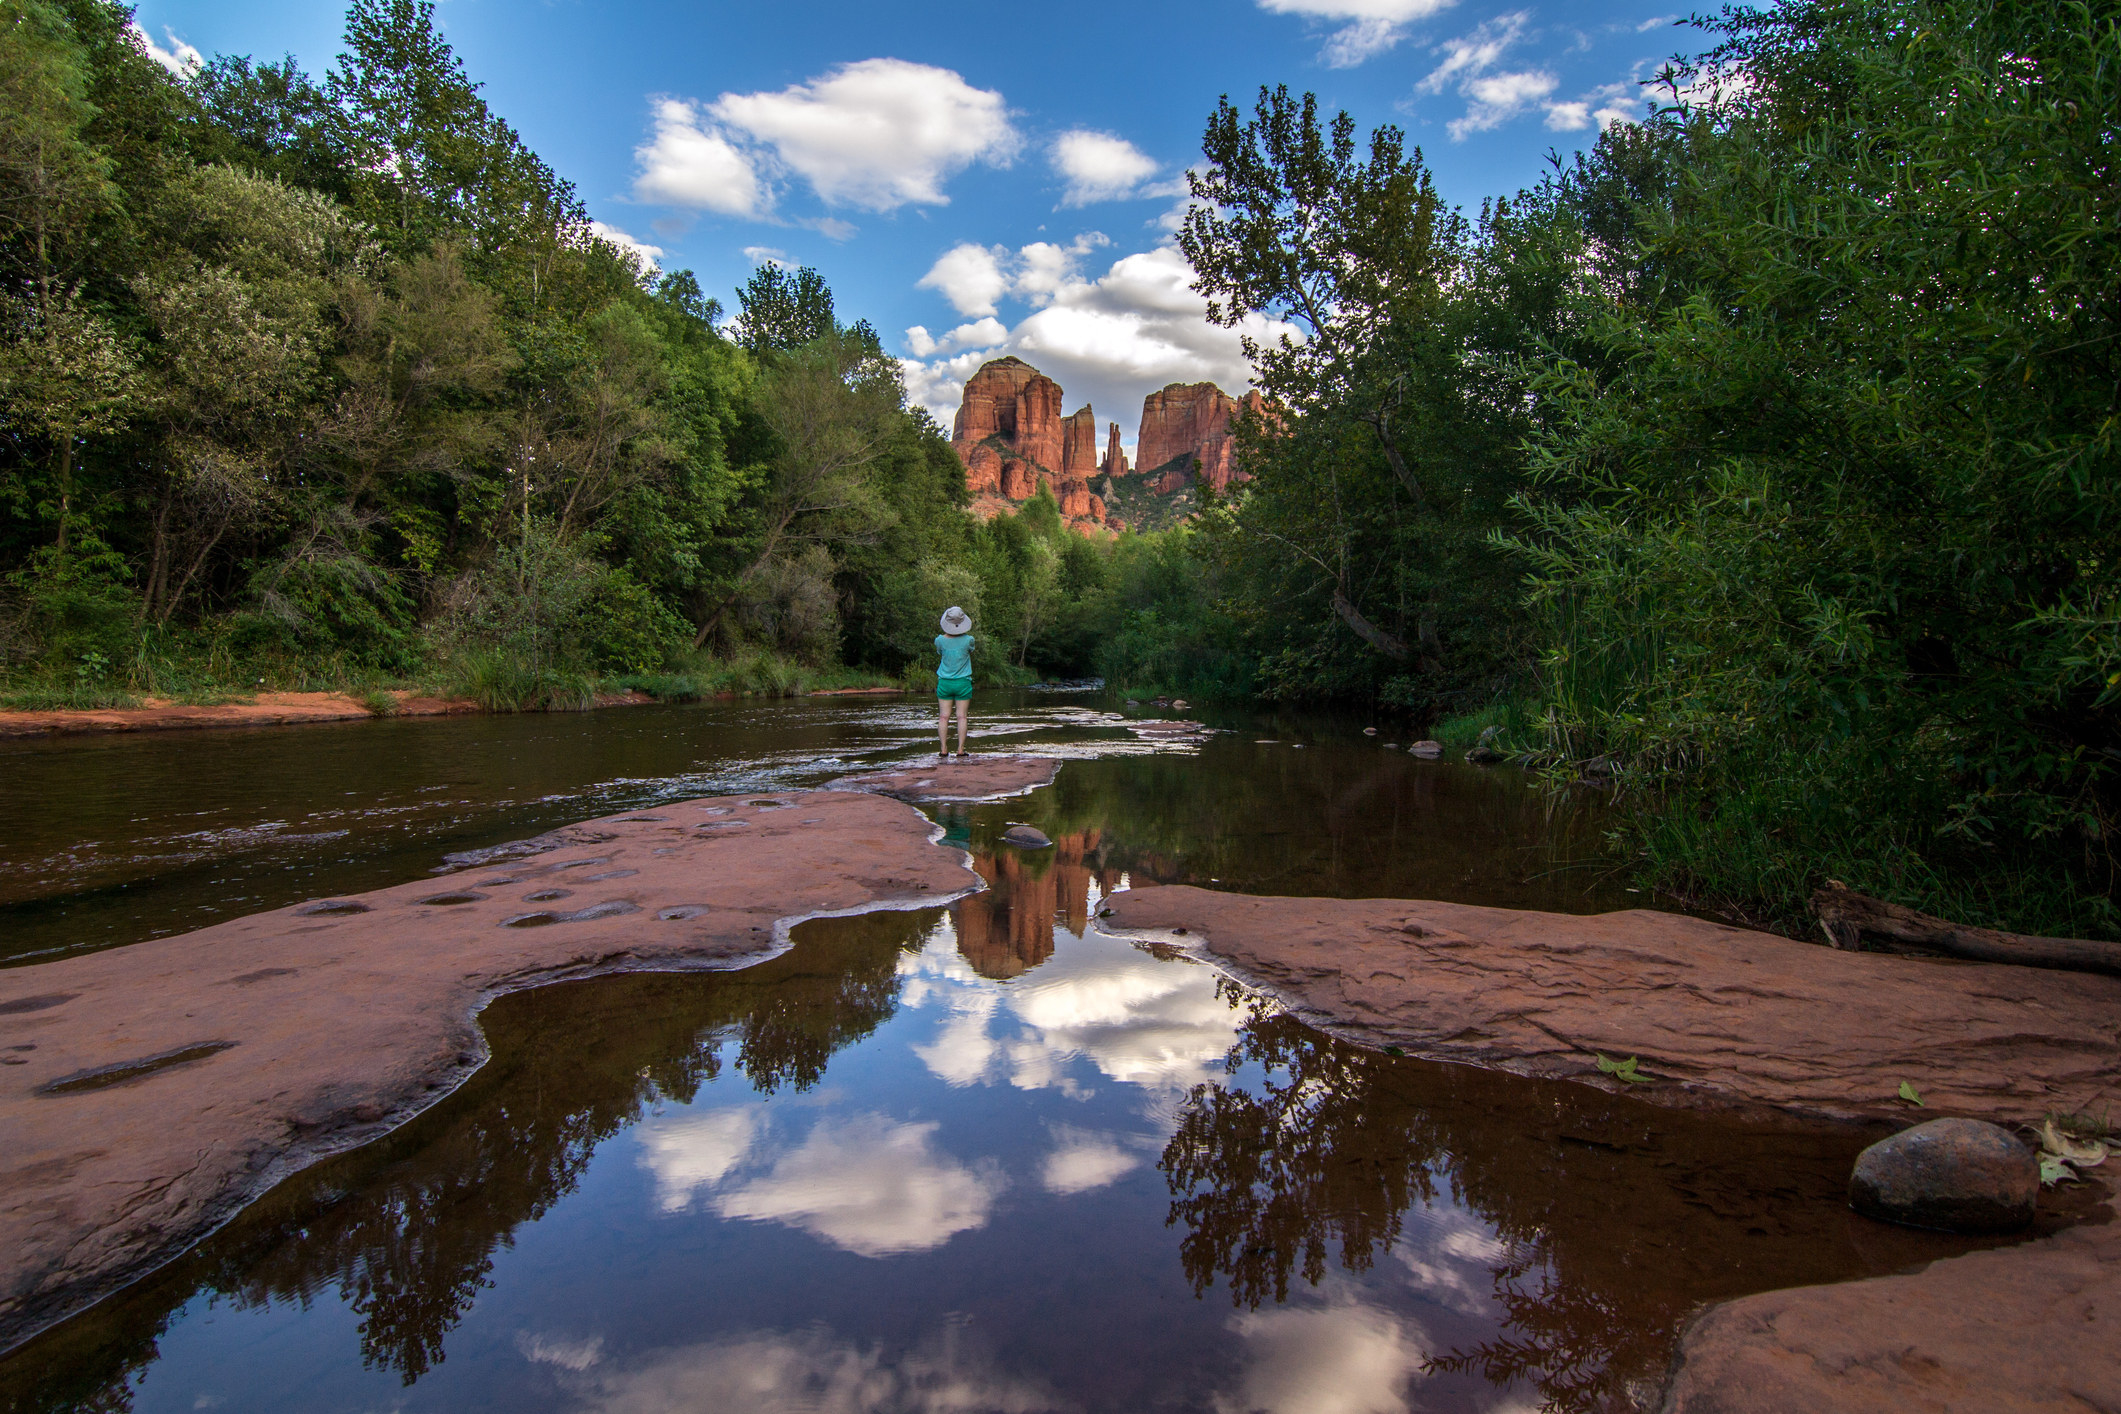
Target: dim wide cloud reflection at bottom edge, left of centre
{"points": [[769, 1373]]}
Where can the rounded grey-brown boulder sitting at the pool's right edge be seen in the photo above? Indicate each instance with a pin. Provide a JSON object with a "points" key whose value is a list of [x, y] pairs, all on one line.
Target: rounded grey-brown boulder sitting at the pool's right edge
{"points": [[1952, 1176]]}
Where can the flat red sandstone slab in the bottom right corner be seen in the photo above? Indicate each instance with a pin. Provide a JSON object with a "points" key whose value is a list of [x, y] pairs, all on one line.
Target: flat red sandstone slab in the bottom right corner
{"points": [[2016, 1328]]}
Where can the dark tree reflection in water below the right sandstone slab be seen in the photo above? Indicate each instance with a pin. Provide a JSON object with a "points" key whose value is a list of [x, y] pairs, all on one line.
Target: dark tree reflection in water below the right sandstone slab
{"points": [[1615, 1218]]}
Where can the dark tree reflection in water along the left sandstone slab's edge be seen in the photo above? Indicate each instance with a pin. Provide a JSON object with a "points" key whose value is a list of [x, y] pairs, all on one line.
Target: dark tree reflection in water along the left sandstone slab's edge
{"points": [[406, 1229]]}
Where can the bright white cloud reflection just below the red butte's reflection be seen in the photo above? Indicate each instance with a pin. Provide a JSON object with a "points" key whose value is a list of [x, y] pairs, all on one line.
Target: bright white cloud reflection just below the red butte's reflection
{"points": [[1136, 1019]]}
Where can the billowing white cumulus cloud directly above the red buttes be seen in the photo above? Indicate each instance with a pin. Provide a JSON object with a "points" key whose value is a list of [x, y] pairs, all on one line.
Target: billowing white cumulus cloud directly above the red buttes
{"points": [[1106, 338]]}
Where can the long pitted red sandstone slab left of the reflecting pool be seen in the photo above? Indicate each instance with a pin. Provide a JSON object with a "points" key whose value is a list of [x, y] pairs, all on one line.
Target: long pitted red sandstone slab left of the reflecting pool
{"points": [[290, 1036]]}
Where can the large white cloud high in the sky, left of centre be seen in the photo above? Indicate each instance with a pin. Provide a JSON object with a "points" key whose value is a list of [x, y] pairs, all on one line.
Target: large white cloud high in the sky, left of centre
{"points": [[877, 135]]}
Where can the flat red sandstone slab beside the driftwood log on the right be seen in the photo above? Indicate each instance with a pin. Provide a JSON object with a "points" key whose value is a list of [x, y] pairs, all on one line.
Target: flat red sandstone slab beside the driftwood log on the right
{"points": [[1719, 1017]]}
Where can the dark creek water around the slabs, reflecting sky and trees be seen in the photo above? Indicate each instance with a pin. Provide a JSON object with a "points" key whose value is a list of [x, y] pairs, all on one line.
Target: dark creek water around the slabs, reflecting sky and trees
{"points": [[975, 1159]]}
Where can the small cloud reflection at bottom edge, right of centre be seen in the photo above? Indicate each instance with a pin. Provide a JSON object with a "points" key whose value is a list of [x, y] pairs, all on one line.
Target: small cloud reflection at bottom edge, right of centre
{"points": [[1325, 1360]]}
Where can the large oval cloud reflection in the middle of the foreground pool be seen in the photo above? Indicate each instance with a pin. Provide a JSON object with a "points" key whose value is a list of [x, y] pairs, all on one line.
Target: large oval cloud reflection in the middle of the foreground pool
{"points": [[871, 1186]]}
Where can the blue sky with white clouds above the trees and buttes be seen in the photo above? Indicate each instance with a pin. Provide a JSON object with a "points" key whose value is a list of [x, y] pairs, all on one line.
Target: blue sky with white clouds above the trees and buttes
{"points": [[989, 179]]}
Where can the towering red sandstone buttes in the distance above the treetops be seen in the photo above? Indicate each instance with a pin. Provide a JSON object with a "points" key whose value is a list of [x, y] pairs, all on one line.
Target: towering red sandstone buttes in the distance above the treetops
{"points": [[1013, 440]]}
